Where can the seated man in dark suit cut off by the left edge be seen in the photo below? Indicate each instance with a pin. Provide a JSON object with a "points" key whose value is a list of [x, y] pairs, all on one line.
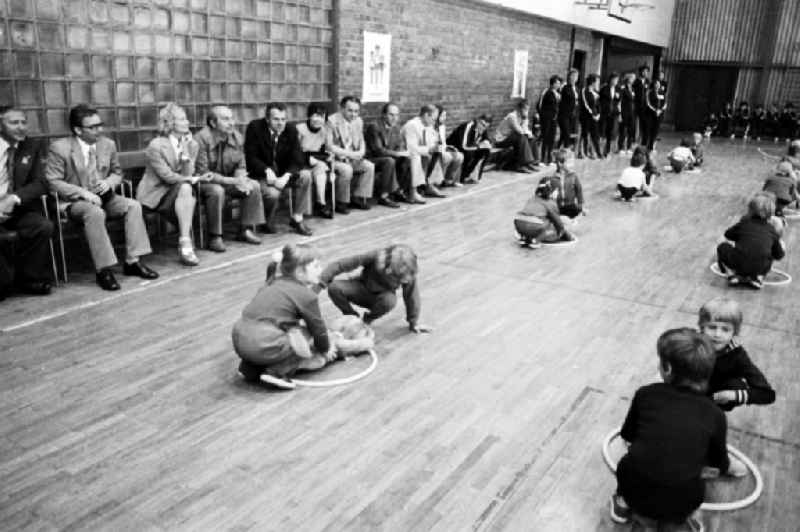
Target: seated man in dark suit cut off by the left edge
{"points": [[24, 262]]}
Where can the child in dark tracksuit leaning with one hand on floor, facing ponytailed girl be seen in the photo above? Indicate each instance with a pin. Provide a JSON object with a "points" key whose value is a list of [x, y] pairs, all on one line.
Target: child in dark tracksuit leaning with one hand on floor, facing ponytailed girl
{"points": [[383, 271]]}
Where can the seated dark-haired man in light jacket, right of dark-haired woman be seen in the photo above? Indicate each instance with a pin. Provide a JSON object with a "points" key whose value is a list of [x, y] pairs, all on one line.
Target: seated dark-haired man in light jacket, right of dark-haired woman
{"points": [[346, 141]]}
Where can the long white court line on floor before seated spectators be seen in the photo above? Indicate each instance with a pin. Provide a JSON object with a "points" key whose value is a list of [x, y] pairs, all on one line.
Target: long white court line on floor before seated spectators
{"points": [[473, 191]]}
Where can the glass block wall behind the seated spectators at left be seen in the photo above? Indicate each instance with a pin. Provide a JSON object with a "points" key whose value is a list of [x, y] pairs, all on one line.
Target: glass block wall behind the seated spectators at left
{"points": [[128, 57]]}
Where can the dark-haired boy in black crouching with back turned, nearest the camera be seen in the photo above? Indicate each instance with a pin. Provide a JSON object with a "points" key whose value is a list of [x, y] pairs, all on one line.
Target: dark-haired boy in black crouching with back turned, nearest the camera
{"points": [[674, 430]]}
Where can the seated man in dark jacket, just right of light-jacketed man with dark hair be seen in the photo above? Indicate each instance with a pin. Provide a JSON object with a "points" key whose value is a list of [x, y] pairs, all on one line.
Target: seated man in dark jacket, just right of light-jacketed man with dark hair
{"points": [[387, 150]]}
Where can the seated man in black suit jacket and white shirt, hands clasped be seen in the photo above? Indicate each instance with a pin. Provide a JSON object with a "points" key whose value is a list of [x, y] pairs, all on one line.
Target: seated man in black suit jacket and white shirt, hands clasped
{"points": [[275, 159]]}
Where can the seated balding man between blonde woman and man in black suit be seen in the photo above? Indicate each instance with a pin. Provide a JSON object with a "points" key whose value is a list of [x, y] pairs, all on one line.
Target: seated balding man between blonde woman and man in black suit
{"points": [[221, 156]]}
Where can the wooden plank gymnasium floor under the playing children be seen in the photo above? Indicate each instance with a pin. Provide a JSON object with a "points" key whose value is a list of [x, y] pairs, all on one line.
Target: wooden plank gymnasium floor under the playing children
{"points": [[125, 411]]}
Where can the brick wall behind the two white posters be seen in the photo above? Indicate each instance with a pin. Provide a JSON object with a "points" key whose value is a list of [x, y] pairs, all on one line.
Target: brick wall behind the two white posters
{"points": [[458, 53]]}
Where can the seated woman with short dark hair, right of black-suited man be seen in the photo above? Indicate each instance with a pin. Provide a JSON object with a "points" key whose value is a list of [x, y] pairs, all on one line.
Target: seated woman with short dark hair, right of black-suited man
{"points": [[313, 137]]}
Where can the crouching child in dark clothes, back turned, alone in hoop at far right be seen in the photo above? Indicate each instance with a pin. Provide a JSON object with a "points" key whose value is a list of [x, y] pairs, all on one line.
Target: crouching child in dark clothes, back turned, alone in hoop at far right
{"points": [[754, 242]]}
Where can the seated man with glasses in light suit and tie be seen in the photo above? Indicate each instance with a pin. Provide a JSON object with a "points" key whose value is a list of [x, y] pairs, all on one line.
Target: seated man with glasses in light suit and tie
{"points": [[84, 171]]}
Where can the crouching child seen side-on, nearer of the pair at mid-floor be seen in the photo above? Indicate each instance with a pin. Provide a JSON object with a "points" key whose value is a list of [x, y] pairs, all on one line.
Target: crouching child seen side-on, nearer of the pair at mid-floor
{"points": [[539, 219]]}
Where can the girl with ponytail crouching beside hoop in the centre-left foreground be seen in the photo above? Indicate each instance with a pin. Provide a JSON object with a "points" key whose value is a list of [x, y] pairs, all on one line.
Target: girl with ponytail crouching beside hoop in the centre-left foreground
{"points": [[269, 337]]}
